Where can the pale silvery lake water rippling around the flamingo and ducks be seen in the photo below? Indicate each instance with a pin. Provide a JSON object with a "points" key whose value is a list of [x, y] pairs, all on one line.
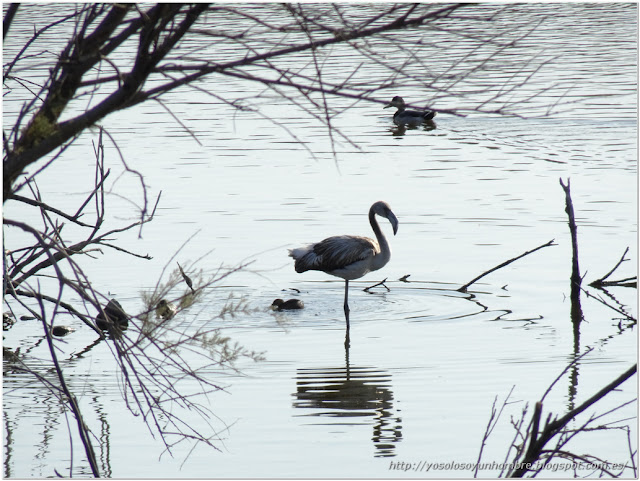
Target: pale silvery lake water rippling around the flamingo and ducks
{"points": [[426, 361]]}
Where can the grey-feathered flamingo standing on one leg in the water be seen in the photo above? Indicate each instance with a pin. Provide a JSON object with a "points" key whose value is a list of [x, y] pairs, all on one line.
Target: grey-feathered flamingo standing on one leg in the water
{"points": [[349, 257]]}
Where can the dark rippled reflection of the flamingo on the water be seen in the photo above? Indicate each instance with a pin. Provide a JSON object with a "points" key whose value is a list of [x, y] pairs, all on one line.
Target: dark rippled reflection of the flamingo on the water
{"points": [[352, 395]]}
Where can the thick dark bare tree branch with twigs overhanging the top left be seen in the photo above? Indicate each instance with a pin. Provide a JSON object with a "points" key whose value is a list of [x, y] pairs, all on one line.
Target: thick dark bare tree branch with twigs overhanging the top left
{"points": [[101, 29]]}
